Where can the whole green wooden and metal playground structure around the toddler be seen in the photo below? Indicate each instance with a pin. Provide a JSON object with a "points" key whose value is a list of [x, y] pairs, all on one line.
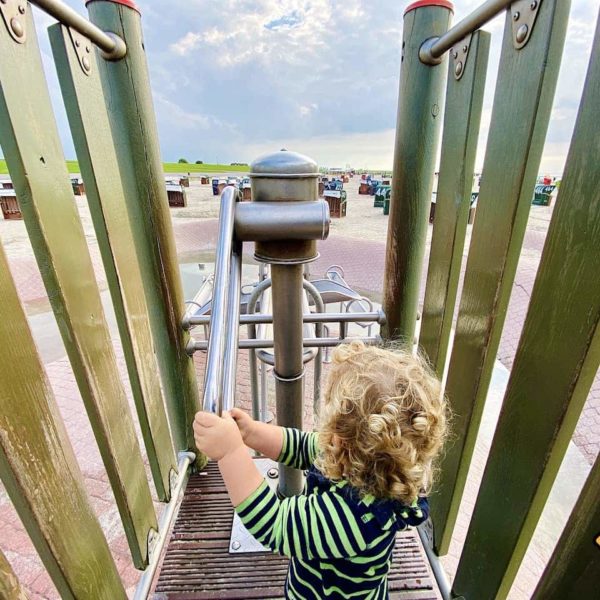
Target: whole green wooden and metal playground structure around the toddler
{"points": [[117, 148]]}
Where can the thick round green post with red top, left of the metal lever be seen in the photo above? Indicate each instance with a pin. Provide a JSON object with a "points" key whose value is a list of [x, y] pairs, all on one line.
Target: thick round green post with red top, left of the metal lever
{"points": [[129, 101]]}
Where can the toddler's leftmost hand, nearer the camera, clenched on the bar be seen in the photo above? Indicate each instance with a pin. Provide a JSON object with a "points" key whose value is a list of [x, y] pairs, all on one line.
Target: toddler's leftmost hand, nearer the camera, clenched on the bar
{"points": [[216, 436]]}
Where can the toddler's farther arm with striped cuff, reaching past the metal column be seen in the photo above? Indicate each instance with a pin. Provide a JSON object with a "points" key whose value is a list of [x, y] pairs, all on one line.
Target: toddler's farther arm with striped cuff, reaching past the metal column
{"points": [[289, 446]]}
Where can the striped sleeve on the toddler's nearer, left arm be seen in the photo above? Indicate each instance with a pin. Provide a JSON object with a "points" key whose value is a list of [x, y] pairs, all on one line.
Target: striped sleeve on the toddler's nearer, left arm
{"points": [[306, 527]]}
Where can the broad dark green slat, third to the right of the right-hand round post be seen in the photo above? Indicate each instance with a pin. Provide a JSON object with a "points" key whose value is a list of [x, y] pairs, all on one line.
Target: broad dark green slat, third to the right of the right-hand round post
{"points": [[557, 359]]}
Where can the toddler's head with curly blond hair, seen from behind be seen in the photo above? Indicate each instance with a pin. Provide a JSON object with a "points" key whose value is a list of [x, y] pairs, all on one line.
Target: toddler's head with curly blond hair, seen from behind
{"points": [[384, 421]]}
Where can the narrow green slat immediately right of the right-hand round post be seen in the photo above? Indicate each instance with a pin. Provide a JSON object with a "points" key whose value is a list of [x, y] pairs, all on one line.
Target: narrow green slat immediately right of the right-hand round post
{"points": [[464, 101]]}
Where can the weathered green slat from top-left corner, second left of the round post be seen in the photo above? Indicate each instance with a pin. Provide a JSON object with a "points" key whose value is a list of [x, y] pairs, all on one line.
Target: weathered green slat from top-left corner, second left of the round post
{"points": [[36, 163]]}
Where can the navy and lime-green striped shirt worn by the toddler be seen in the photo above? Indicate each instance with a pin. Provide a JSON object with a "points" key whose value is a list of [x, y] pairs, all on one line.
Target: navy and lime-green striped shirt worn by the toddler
{"points": [[340, 545]]}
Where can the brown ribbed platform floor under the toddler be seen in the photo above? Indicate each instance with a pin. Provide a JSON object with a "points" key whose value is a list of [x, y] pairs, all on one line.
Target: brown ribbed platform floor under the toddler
{"points": [[197, 564]]}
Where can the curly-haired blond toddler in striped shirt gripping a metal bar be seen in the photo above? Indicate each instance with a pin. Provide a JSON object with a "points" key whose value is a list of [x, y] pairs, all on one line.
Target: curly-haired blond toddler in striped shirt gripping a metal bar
{"points": [[370, 468]]}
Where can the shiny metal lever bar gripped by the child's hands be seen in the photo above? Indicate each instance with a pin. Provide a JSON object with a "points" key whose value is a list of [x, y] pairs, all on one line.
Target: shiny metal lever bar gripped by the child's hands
{"points": [[217, 348]]}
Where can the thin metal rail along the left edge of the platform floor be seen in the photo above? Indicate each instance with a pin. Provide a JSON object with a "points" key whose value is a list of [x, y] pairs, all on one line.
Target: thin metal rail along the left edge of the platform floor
{"points": [[164, 525]]}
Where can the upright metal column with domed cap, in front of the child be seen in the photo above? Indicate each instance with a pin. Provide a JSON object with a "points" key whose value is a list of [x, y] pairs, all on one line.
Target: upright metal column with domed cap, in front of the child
{"points": [[286, 177]]}
